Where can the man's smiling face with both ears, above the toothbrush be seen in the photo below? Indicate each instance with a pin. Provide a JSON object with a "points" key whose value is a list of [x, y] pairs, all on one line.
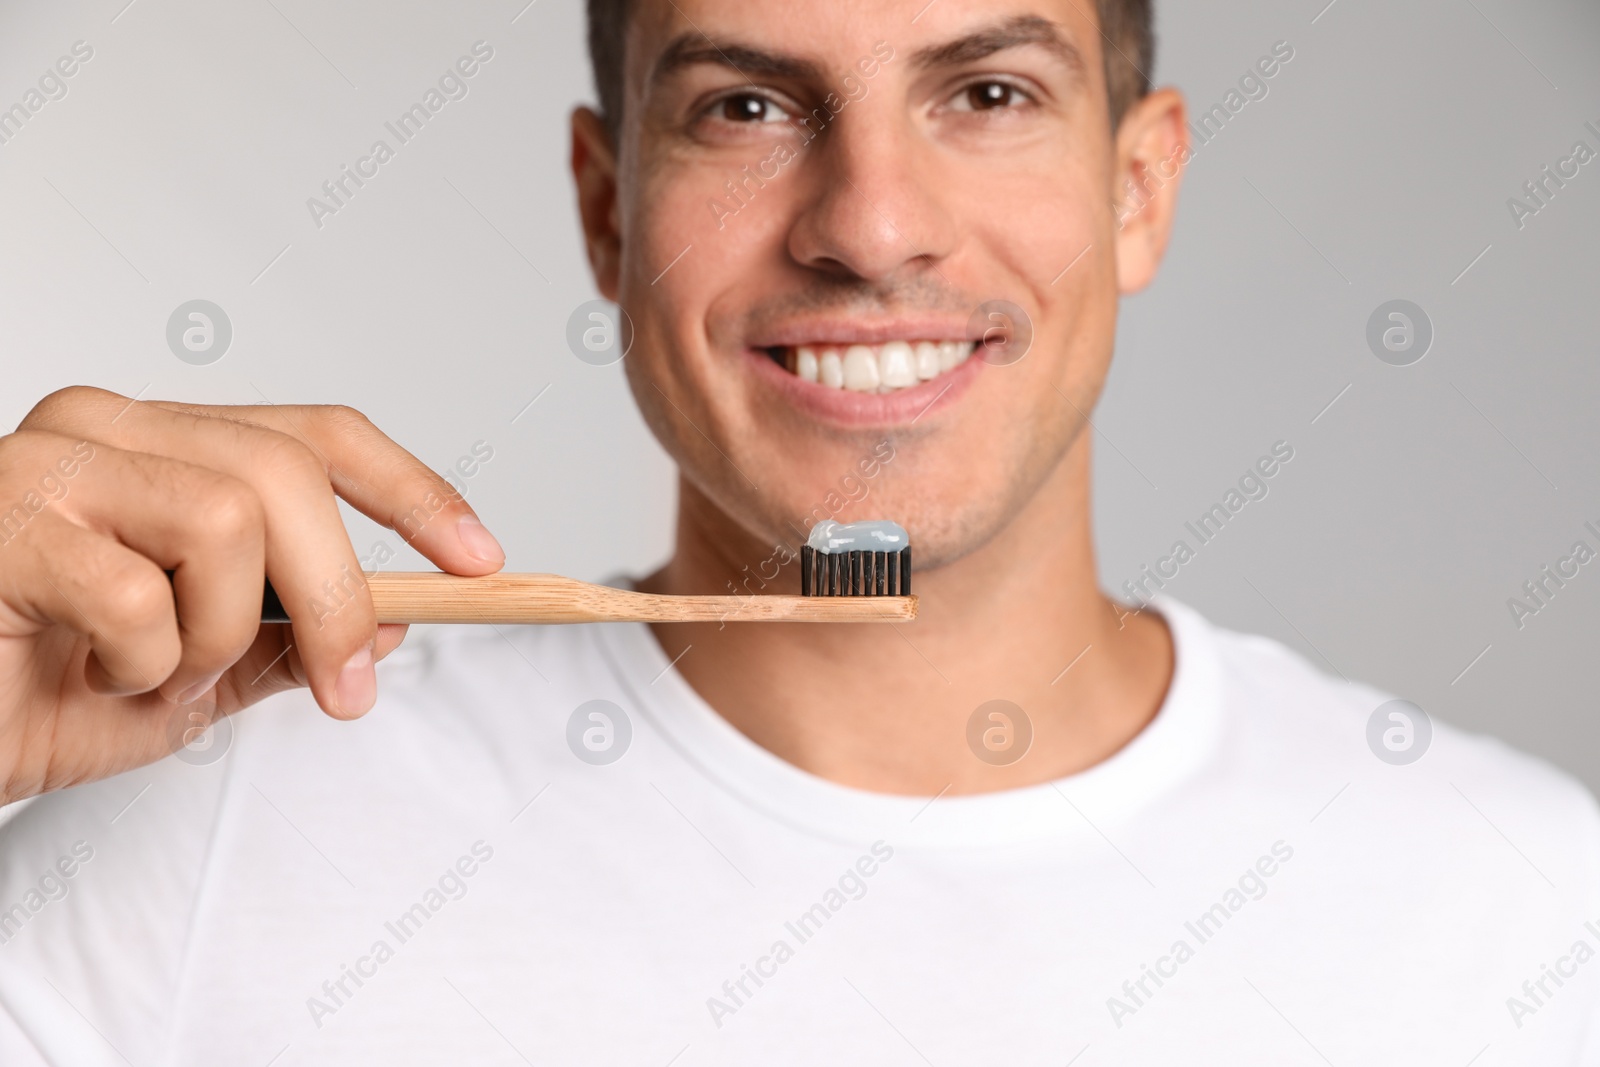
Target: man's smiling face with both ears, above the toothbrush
{"points": [[834, 230]]}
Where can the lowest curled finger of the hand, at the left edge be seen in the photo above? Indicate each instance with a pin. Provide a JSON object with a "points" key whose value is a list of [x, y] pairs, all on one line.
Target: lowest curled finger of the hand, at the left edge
{"points": [[108, 593]]}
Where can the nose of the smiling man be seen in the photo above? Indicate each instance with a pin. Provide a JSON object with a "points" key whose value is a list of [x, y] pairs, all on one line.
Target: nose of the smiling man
{"points": [[876, 212]]}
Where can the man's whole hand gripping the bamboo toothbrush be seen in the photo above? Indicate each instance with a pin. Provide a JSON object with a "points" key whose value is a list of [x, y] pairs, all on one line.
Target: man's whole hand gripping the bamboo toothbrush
{"points": [[102, 653]]}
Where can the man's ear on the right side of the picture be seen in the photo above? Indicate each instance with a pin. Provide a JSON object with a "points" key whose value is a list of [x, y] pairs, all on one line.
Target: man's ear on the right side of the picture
{"points": [[1153, 151]]}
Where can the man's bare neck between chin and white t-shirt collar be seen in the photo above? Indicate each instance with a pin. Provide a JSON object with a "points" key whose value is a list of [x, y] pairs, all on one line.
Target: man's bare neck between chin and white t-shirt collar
{"points": [[887, 708]]}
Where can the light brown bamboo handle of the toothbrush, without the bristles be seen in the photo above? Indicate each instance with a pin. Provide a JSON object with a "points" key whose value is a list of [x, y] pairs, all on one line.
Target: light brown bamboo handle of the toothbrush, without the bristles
{"points": [[511, 599]]}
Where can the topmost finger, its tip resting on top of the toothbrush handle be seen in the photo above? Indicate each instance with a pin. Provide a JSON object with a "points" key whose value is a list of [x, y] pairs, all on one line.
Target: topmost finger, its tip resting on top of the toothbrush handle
{"points": [[382, 481]]}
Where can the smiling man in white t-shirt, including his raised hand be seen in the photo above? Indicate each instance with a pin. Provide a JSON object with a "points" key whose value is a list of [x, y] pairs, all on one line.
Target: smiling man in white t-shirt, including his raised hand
{"points": [[1036, 826]]}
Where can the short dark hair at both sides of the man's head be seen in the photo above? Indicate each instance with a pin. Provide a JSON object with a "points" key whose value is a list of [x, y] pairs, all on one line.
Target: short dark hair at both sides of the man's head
{"points": [[1130, 54]]}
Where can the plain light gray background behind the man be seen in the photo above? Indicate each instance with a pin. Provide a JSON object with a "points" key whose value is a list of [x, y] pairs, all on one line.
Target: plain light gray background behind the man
{"points": [[180, 164]]}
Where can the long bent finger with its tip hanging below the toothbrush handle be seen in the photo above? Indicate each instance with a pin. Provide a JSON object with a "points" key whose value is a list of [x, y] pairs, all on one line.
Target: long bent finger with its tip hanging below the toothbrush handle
{"points": [[308, 551]]}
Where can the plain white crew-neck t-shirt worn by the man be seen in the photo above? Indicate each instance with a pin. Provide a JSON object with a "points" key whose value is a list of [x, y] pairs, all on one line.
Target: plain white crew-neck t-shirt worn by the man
{"points": [[447, 882]]}
